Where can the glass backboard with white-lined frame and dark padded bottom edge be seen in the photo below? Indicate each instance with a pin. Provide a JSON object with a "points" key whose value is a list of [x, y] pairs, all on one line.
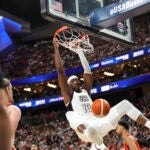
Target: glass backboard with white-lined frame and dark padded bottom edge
{"points": [[77, 14]]}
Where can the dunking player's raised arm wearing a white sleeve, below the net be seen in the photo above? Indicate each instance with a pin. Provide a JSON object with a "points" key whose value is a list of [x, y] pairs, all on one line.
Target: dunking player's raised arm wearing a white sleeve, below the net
{"points": [[88, 79]]}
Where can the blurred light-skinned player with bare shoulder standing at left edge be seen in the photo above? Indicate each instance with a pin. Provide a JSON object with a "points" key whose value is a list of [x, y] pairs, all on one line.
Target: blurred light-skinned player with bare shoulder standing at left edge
{"points": [[14, 112]]}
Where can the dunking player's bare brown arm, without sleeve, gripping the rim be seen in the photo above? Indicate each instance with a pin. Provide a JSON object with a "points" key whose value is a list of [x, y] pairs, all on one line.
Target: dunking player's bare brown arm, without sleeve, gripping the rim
{"points": [[65, 89]]}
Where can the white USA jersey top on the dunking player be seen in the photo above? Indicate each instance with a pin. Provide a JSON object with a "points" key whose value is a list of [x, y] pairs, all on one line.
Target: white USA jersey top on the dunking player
{"points": [[81, 103]]}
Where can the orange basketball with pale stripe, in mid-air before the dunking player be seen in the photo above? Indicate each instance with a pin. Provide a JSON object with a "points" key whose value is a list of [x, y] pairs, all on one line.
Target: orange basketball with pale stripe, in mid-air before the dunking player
{"points": [[100, 108]]}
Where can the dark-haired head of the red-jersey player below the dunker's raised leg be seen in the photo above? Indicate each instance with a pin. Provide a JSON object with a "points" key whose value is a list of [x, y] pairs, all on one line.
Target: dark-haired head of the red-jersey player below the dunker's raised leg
{"points": [[121, 127]]}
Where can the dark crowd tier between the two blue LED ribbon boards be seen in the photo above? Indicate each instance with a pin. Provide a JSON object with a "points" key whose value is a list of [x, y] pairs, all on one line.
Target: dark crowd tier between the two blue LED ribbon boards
{"points": [[121, 72]]}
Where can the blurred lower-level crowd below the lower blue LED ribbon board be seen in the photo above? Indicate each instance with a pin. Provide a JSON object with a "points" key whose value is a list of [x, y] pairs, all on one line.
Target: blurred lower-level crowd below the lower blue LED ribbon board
{"points": [[50, 131]]}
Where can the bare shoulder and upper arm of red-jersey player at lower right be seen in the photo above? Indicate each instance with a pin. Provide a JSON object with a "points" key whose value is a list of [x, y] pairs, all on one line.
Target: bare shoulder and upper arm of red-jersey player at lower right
{"points": [[131, 143]]}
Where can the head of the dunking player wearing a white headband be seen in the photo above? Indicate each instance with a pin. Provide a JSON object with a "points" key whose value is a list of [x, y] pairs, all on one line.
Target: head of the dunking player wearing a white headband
{"points": [[74, 83]]}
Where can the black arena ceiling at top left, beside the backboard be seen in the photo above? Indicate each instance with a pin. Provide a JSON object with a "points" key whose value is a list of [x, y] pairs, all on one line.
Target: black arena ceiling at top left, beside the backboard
{"points": [[28, 10]]}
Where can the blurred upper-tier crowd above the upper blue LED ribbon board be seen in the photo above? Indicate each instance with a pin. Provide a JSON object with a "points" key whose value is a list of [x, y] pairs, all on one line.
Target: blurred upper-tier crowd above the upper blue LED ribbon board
{"points": [[37, 58]]}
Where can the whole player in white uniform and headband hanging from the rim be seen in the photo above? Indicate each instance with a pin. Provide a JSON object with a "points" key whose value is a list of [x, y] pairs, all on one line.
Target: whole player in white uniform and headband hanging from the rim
{"points": [[78, 101]]}
